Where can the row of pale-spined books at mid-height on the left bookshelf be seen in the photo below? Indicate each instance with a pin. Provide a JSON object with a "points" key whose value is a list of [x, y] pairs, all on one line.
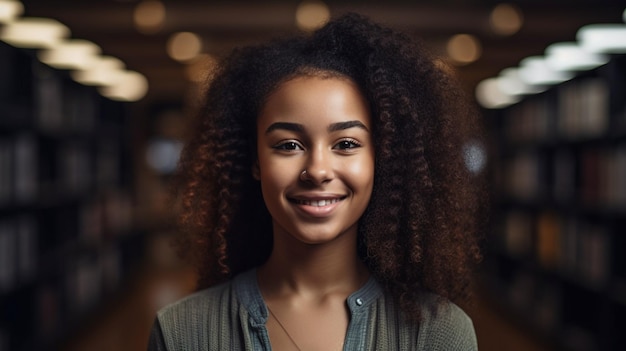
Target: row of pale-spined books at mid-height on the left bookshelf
{"points": [[33, 168]]}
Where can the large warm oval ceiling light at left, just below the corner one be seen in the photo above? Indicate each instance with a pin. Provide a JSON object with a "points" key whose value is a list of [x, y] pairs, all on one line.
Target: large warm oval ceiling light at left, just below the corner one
{"points": [[34, 32]]}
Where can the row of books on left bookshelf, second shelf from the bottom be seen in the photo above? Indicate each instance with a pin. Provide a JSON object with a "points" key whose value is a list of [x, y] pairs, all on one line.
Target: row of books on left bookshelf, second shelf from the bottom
{"points": [[29, 239]]}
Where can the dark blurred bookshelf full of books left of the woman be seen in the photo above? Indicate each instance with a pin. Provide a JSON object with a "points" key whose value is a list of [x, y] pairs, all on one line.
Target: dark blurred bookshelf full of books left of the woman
{"points": [[68, 241]]}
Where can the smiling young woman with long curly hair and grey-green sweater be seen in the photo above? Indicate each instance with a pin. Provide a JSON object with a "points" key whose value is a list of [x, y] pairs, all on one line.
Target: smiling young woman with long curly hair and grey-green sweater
{"points": [[325, 200]]}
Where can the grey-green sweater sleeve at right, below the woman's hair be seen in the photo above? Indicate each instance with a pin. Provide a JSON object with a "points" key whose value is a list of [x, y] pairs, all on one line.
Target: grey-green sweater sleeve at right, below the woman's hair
{"points": [[447, 327]]}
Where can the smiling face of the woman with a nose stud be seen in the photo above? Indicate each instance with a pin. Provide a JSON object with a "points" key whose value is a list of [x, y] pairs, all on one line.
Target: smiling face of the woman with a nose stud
{"points": [[323, 126]]}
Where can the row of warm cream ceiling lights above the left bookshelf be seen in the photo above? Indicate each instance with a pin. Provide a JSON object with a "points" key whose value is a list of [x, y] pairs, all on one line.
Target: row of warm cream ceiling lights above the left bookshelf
{"points": [[83, 58]]}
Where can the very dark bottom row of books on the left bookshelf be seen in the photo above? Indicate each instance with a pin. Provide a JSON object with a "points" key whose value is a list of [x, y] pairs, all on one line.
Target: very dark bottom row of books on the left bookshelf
{"points": [[39, 313]]}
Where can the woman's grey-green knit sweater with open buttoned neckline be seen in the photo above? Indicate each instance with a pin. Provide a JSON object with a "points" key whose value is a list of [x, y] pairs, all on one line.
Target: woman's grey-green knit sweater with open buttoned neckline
{"points": [[232, 316]]}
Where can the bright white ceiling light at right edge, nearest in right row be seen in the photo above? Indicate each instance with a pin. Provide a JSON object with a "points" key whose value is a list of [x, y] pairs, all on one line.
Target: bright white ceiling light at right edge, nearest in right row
{"points": [[603, 38]]}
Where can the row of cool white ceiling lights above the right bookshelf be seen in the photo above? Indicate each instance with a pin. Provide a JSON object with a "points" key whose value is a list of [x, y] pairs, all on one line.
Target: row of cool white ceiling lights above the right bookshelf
{"points": [[561, 62]]}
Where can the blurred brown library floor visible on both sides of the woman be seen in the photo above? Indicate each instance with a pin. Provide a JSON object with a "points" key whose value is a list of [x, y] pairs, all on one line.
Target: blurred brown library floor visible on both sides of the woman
{"points": [[125, 324]]}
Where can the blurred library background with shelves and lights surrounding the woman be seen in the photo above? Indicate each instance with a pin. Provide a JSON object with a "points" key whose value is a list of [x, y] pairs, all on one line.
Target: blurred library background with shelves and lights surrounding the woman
{"points": [[95, 96]]}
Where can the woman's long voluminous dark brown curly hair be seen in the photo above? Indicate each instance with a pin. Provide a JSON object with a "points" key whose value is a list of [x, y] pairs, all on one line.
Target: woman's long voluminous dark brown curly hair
{"points": [[418, 231]]}
